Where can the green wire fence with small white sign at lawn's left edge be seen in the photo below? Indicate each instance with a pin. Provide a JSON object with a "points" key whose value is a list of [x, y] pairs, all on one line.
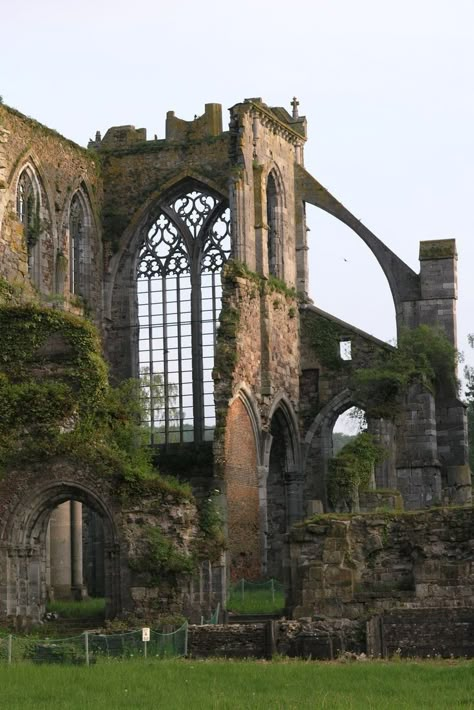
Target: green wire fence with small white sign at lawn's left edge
{"points": [[88, 648]]}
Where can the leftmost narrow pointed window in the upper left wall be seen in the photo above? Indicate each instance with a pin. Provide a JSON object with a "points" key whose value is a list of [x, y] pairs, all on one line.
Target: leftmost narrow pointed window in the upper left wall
{"points": [[28, 212]]}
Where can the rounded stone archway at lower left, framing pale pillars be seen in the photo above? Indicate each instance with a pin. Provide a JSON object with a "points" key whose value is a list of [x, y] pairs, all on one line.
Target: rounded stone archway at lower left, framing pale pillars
{"points": [[23, 590]]}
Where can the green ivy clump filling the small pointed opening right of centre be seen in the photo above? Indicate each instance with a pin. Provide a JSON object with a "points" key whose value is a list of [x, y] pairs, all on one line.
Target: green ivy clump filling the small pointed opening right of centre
{"points": [[351, 469]]}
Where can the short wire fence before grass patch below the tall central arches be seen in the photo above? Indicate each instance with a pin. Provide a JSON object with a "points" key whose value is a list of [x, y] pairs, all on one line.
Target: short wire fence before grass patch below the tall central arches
{"points": [[247, 597]]}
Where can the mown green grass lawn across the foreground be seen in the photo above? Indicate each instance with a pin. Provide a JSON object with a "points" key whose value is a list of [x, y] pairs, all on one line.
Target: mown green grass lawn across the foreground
{"points": [[252, 685]]}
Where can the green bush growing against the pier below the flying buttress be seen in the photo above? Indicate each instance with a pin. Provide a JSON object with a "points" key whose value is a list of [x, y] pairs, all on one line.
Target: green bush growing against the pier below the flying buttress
{"points": [[423, 354]]}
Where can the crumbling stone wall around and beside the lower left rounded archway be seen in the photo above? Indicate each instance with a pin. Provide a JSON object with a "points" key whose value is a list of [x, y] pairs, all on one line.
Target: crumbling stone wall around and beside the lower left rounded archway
{"points": [[28, 496]]}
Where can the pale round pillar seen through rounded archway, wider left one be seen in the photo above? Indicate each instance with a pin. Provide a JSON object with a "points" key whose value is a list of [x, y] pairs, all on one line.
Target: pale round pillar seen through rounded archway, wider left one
{"points": [[60, 551]]}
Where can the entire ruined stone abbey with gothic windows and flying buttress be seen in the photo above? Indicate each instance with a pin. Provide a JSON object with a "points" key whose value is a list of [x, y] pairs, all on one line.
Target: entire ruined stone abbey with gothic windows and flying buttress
{"points": [[180, 264]]}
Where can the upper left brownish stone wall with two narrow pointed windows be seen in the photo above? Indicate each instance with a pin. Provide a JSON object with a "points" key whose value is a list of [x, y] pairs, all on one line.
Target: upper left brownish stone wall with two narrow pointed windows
{"points": [[61, 167]]}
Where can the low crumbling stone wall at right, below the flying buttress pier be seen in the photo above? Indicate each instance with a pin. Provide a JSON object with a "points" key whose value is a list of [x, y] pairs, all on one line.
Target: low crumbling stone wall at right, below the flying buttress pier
{"points": [[355, 566]]}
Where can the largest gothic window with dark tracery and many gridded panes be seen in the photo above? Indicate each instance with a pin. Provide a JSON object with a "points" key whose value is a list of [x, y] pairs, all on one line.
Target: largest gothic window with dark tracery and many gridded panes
{"points": [[179, 301]]}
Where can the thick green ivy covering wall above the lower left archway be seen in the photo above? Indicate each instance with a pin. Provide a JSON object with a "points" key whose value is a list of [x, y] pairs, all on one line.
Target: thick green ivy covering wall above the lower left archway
{"points": [[56, 401]]}
